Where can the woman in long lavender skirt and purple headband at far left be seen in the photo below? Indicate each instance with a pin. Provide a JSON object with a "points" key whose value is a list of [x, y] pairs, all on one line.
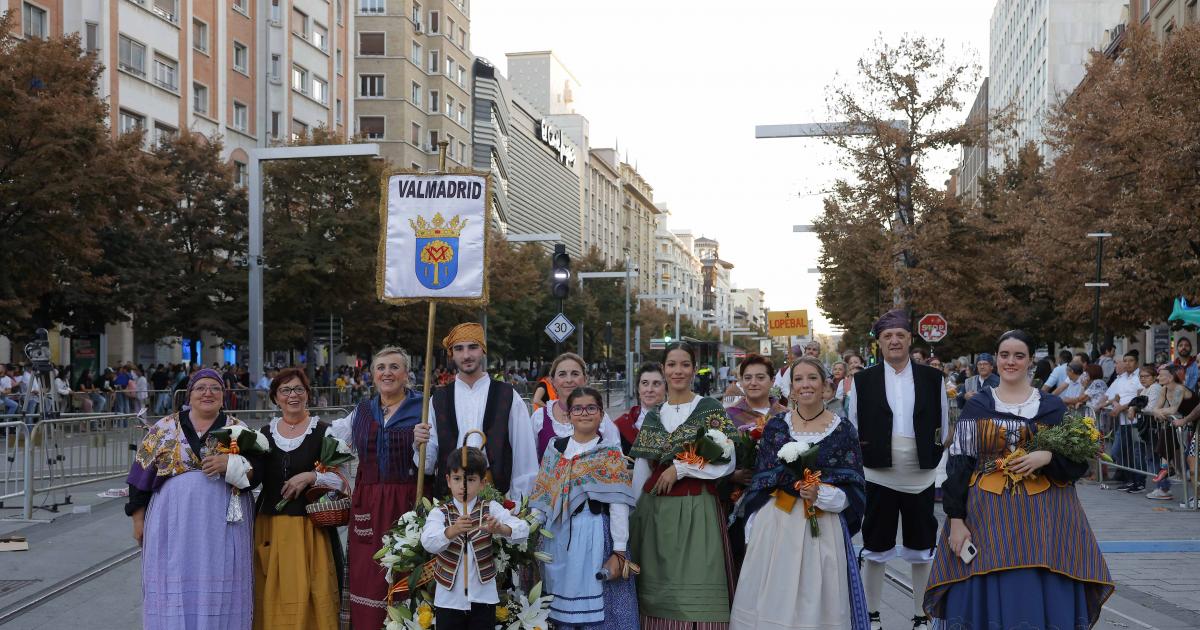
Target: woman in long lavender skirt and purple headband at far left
{"points": [[196, 568]]}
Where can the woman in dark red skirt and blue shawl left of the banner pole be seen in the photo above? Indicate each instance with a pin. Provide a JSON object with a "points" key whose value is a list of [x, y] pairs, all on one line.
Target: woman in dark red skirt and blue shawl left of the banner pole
{"points": [[380, 431]]}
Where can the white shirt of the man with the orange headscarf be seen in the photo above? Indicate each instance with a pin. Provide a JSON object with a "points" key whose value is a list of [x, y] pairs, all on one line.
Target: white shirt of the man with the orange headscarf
{"points": [[469, 407]]}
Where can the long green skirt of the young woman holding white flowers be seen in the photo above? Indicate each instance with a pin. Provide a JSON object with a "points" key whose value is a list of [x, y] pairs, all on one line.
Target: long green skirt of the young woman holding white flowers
{"points": [[683, 551]]}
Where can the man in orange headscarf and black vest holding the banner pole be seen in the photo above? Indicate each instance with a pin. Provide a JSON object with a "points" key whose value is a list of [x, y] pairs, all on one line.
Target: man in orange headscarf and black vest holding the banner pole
{"points": [[473, 401]]}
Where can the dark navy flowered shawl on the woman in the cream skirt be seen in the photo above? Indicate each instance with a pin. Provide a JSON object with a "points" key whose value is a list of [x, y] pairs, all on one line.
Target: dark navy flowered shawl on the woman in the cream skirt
{"points": [[839, 459]]}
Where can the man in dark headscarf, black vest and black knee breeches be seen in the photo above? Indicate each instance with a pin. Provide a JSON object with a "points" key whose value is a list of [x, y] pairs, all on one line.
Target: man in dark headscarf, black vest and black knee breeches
{"points": [[903, 416]]}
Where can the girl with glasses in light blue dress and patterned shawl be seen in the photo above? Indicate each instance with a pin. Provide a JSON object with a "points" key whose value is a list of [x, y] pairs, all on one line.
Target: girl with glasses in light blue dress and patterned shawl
{"points": [[585, 493]]}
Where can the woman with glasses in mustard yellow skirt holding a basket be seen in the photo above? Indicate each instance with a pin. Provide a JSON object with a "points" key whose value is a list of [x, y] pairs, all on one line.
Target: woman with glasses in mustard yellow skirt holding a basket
{"points": [[297, 565]]}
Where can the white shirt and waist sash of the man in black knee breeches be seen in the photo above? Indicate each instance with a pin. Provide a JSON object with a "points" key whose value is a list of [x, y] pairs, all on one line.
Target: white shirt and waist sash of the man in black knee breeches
{"points": [[905, 475]]}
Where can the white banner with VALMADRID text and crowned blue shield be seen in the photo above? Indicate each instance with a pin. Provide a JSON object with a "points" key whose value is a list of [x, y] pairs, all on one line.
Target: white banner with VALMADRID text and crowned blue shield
{"points": [[434, 238]]}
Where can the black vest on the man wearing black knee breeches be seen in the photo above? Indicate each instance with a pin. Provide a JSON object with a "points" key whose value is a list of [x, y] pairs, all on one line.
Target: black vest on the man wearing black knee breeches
{"points": [[875, 416]]}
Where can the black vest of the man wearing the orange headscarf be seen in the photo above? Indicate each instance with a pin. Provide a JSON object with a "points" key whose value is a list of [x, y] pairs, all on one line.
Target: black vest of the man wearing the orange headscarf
{"points": [[496, 428]]}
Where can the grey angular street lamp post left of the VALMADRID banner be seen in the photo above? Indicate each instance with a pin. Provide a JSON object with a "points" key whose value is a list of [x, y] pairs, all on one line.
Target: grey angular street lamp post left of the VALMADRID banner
{"points": [[255, 172]]}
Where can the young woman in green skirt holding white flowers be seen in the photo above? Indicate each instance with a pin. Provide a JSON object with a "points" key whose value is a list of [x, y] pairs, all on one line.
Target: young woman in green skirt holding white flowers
{"points": [[677, 532]]}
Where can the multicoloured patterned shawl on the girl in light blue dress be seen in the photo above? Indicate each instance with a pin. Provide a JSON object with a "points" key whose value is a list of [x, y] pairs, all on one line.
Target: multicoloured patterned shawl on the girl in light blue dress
{"points": [[565, 484]]}
